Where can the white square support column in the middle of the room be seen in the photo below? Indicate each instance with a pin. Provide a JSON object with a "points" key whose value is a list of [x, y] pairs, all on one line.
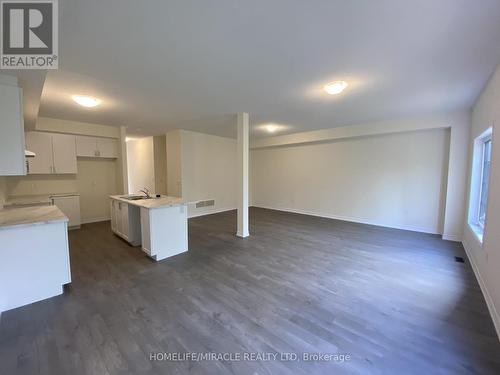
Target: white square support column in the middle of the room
{"points": [[243, 158]]}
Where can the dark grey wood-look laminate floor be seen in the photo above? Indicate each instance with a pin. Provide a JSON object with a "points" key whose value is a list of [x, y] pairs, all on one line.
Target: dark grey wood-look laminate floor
{"points": [[395, 301]]}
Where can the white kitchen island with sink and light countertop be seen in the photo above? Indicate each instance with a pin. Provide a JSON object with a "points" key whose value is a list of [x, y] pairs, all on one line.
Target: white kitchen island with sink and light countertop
{"points": [[159, 225]]}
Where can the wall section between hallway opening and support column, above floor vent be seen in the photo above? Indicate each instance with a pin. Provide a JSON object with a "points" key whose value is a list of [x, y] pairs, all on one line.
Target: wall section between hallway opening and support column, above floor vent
{"points": [[208, 171]]}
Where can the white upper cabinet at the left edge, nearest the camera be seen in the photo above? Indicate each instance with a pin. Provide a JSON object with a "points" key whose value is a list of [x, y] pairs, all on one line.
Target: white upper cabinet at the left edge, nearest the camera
{"points": [[12, 160]]}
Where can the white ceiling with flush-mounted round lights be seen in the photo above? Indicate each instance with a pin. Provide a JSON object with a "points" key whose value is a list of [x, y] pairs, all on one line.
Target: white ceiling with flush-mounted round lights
{"points": [[159, 65]]}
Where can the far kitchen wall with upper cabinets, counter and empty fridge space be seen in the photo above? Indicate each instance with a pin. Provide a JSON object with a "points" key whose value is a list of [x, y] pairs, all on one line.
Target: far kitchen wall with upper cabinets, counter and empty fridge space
{"points": [[57, 169]]}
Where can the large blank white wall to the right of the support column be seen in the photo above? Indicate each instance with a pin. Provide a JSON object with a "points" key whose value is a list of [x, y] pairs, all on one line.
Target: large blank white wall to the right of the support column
{"points": [[394, 180]]}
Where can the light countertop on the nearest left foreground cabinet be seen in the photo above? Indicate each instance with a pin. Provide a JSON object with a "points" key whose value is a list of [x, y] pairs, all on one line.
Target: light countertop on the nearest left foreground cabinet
{"points": [[11, 217]]}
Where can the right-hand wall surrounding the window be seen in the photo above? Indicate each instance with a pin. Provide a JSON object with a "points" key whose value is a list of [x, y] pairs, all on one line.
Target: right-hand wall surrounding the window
{"points": [[485, 258]]}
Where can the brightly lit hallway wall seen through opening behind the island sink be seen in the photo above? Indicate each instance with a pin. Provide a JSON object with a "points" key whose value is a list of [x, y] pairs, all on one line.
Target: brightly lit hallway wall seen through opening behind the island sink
{"points": [[140, 165]]}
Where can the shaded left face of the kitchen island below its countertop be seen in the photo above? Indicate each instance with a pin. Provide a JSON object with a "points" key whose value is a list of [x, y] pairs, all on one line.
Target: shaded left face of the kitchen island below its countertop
{"points": [[125, 221]]}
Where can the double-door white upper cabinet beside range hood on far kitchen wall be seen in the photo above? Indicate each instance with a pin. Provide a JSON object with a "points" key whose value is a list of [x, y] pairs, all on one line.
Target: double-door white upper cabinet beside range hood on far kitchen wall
{"points": [[55, 153]]}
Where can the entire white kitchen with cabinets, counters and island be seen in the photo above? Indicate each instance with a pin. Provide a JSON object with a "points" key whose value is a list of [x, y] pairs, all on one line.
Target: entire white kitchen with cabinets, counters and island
{"points": [[57, 175]]}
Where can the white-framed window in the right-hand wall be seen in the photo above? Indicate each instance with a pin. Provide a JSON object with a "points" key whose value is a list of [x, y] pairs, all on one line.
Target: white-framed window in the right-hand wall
{"points": [[479, 183]]}
